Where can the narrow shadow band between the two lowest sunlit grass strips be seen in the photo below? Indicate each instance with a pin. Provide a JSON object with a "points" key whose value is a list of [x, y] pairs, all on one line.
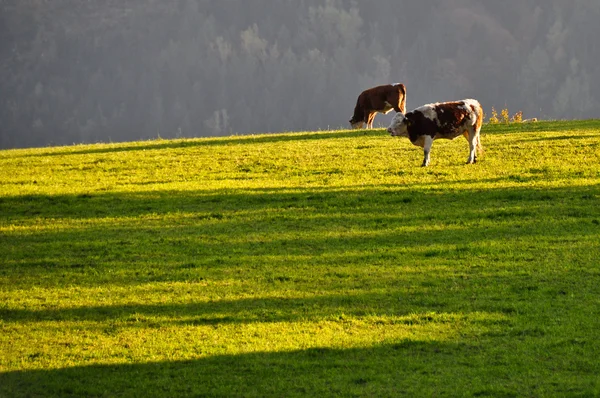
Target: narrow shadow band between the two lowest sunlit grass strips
{"points": [[413, 309]]}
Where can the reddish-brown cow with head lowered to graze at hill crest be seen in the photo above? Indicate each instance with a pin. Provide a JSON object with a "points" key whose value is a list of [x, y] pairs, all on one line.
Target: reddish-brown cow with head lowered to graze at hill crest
{"points": [[380, 99]]}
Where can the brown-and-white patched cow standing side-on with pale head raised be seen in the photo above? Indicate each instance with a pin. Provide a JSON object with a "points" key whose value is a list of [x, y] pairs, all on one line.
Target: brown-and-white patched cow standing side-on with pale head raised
{"points": [[441, 120]]}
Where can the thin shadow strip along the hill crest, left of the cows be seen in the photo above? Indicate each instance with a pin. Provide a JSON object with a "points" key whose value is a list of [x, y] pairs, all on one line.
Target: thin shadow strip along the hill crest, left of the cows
{"points": [[209, 141]]}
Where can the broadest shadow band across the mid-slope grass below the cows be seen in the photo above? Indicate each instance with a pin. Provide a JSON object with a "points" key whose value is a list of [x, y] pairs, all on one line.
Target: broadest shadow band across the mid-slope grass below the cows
{"points": [[124, 239]]}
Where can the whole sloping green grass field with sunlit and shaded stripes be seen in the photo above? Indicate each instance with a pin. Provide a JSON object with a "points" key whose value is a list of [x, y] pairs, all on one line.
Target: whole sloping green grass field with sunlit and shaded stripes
{"points": [[303, 264]]}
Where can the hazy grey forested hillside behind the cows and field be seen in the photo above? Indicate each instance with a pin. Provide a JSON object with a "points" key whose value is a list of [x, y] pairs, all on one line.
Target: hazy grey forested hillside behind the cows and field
{"points": [[87, 71]]}
